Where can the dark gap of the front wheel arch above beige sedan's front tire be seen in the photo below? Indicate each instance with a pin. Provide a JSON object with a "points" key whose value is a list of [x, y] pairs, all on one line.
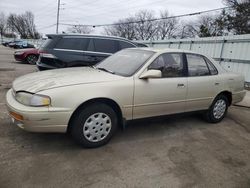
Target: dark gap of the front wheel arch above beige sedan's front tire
{"points": [[114, 105]]}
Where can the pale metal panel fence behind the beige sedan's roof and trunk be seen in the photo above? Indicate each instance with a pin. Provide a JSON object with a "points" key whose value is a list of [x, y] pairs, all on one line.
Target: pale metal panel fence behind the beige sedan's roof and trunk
{"points": [[232, 52]]}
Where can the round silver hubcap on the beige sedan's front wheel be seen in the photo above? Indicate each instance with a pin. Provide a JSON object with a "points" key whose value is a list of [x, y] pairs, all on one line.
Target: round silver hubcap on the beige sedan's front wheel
{"points": [[97, 127]]}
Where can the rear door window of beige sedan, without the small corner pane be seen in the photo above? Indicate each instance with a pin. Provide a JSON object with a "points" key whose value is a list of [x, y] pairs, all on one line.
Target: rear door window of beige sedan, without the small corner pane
{"points": [[197, 66]]}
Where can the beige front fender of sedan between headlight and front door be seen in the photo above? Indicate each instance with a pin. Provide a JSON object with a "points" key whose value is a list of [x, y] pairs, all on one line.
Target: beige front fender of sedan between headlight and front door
{"points": [[69, 98]]}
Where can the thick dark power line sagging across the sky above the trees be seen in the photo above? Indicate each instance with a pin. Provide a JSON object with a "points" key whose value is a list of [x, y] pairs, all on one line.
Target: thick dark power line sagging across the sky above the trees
{"points": [[150, 20]]}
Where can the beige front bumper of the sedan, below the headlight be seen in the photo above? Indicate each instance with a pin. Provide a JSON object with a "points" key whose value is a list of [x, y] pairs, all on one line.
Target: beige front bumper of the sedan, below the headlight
{"points": [[37, 119]]}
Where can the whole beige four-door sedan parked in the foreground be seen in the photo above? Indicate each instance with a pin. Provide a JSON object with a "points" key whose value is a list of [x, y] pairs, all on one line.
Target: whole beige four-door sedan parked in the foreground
{"points": [[91, 102]]}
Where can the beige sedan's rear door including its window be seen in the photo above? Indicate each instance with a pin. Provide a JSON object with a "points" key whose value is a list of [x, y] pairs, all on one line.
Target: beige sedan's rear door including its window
{"points": [[202, 83]]}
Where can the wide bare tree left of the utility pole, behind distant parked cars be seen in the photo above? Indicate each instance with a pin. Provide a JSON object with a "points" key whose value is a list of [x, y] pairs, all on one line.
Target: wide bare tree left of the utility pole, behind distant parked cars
{"points": [[23, 24]]}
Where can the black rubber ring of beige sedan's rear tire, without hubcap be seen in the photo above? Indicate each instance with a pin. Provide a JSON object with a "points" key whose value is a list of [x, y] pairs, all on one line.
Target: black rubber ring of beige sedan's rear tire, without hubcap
{"points": [[210, 113]]}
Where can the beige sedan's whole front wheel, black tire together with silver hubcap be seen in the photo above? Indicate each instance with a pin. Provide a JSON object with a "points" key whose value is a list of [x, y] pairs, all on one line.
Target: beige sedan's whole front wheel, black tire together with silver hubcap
{"points": [[94, 125]]}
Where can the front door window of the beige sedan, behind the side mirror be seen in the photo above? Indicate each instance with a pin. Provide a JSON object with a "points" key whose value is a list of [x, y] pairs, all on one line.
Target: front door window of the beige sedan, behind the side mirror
{"points": [[171, 65]]}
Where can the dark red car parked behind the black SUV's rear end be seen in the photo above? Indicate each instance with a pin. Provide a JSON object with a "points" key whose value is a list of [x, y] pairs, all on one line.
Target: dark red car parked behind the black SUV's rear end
{"points": [[27, 55]]}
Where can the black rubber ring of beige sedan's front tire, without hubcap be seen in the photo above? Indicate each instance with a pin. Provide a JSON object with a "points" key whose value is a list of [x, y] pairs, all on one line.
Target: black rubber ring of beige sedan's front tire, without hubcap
{"points": [[83, 114]]}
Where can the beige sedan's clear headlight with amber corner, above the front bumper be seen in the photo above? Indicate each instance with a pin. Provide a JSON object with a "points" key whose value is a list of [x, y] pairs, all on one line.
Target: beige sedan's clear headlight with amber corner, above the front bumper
{"points": [[30, 99]]}
